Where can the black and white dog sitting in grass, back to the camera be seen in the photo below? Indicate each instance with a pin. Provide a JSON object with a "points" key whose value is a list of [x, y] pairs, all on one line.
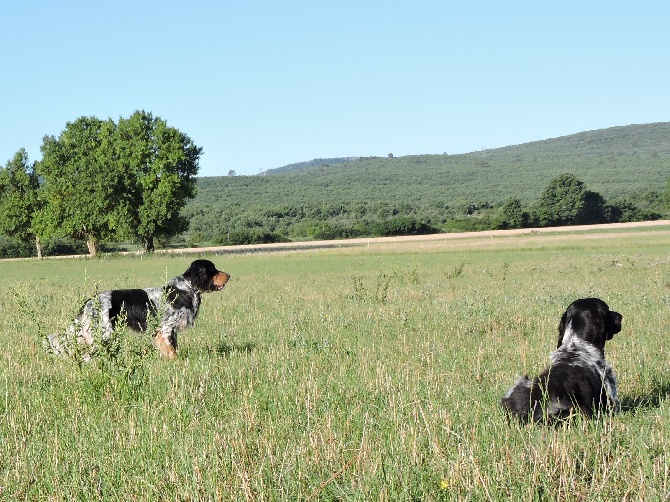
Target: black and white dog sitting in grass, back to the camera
{"points": [[578, 378]]}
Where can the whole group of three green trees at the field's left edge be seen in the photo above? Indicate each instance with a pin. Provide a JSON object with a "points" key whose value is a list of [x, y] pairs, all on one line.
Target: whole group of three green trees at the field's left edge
{"points": [[99, 181]]}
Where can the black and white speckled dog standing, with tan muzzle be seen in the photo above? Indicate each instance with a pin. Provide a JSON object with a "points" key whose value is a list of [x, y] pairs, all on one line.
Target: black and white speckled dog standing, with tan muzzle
{"points": [[173, 307]]}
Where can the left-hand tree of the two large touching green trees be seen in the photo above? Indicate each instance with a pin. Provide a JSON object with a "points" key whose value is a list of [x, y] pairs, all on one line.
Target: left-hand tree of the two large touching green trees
{"points": [[83, 185]]}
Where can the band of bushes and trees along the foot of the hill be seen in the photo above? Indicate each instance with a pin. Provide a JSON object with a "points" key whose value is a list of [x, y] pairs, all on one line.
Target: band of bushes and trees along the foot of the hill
{"points": [[565, 201]]}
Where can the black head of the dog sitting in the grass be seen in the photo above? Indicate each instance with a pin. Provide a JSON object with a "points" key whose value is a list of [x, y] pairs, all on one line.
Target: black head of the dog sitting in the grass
{"points": [[591, 320]]}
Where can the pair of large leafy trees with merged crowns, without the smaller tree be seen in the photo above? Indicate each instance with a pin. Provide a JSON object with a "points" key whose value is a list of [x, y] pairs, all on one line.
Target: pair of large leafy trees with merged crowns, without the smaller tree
{"points": [[108, 181]]}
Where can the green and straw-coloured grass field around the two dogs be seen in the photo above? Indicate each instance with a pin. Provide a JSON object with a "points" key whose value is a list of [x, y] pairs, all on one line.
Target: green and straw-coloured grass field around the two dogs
{"points": [[366, 373]]}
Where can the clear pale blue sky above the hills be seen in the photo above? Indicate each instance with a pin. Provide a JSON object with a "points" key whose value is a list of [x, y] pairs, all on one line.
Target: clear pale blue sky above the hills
{"points": [[263, 84]]}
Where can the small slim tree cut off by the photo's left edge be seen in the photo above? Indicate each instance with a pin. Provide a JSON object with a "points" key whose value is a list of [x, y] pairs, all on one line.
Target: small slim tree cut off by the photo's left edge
{"points": [[19, 188]]}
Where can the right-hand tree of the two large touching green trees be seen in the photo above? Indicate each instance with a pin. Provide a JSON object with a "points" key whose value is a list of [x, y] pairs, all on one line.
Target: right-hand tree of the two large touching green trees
{"points": [[161, 164]]}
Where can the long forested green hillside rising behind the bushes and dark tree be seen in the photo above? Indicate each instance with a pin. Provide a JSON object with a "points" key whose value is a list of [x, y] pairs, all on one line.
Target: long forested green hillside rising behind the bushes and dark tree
{"points": [[629, 163]]}
